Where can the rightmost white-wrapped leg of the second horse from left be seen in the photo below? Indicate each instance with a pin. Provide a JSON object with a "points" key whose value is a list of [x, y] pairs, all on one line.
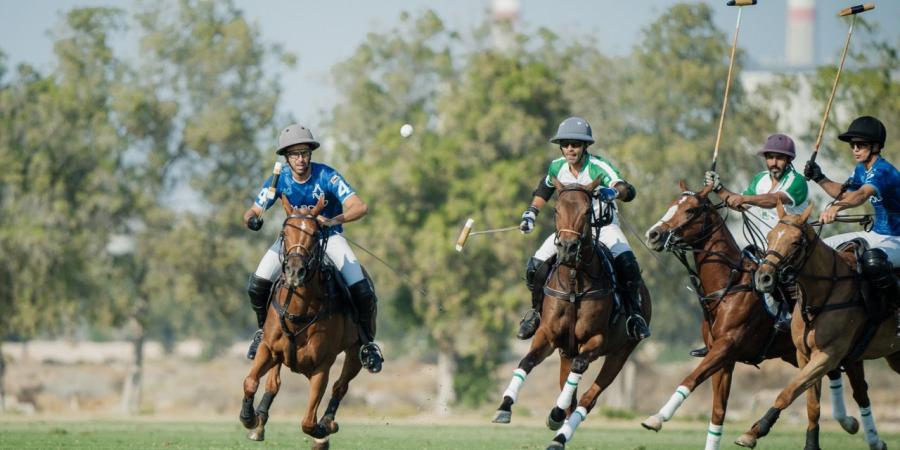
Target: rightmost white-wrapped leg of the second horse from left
{"points": [[612, 365]]}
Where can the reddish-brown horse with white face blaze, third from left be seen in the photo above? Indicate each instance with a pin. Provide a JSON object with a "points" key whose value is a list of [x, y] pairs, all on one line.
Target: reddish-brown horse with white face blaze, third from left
{"points": [[736, 327]]}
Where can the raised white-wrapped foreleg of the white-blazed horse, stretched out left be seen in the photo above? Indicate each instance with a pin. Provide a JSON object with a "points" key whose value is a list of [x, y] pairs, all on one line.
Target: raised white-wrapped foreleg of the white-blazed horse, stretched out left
{"points": [[719, 356]]}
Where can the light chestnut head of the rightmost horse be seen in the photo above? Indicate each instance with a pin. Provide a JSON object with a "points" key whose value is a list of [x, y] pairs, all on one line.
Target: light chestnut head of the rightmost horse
{"points": [[790, 243]]}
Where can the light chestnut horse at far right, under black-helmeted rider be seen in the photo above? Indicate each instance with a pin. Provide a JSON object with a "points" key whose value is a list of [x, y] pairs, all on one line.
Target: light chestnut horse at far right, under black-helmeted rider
{"points": [[827, 321]]}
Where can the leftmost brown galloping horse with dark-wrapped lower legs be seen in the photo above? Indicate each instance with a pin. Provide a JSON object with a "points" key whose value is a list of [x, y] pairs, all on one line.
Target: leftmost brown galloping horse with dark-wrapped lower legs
{"points": [[303, 331]]}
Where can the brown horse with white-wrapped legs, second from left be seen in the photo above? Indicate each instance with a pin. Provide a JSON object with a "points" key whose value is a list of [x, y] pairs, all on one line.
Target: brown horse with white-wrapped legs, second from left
{"points": [[579, 317]]}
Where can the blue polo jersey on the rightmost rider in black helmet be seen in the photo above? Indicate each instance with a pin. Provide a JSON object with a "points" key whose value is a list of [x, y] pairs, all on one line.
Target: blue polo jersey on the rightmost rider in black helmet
{"points": [[885, 178]]}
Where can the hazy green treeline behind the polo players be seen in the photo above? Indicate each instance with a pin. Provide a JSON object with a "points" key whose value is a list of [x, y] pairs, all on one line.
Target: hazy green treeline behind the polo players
{"points": [[91, 235]]}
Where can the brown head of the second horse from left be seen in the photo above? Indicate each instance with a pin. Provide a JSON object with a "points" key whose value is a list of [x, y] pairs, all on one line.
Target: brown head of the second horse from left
{"points": [[574, 212]]}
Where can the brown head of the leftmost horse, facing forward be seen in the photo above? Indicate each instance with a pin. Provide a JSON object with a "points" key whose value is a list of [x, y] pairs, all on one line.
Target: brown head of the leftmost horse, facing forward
{"points": [[300, 248]]}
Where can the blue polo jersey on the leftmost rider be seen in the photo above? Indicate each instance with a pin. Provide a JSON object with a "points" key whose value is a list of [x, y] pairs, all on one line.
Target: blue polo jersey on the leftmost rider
{"points": [[323, 181]]}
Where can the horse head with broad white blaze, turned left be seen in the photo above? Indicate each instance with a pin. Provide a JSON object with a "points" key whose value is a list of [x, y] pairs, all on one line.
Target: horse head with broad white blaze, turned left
{"points": [[690, 219]]}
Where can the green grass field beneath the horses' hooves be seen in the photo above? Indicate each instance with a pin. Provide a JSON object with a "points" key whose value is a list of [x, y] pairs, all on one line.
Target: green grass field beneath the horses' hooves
{"points": [[139, 434]]}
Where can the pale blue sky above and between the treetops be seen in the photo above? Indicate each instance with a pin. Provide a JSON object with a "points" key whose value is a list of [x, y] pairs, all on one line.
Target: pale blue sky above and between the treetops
{"points": [[325, 32]]}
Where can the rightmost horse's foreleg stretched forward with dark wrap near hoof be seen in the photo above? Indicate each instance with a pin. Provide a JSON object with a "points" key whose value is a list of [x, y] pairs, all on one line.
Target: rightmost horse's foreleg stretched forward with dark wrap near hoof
{"points": [[810, 373]]}
